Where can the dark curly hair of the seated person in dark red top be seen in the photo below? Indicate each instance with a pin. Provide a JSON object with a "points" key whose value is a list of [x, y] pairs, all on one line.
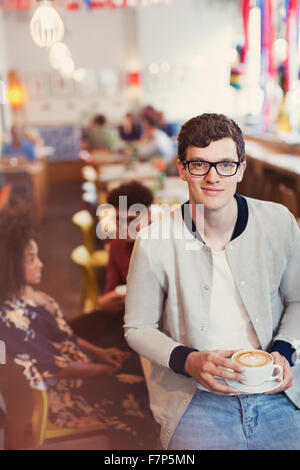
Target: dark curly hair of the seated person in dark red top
{"points": [[136, 193]]}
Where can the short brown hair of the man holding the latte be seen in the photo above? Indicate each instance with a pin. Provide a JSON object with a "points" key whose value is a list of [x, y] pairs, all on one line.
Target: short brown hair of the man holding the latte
{"points": [[201, 130]]}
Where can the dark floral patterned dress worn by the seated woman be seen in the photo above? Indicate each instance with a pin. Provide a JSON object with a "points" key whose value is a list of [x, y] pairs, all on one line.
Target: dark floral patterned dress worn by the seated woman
{"points": [[42, 343]]}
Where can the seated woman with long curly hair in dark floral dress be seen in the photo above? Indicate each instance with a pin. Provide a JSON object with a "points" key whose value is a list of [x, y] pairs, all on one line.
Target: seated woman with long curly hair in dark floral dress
{"points": [[85, 383]]}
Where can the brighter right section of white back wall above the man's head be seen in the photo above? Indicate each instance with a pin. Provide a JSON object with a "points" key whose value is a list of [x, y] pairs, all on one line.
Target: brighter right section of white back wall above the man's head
{"points": [[194, 37]]}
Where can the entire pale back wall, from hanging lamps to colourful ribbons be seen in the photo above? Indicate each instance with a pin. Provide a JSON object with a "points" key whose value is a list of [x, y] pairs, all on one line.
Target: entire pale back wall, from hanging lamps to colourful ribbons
{"points": [[192, 36]]}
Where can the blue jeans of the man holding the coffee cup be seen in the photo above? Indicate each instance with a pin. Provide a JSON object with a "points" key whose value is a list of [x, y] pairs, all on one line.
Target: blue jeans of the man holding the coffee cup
{"points": [[244, 422]]}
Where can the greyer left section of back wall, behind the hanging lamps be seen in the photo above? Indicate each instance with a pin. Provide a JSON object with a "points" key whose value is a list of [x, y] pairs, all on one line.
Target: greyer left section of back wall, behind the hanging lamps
{"points": [[100, 41]]}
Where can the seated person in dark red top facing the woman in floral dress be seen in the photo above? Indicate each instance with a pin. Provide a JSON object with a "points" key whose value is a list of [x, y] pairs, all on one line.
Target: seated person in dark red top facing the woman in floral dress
{"points": [[108, 320]]}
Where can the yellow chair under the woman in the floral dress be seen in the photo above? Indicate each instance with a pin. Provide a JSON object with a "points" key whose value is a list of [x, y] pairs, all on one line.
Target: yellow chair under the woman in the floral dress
{"points": [[27, 418]]}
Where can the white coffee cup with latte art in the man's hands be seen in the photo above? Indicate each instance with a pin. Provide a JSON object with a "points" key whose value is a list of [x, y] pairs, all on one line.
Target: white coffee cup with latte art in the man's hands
{"points": [[258, 366]]}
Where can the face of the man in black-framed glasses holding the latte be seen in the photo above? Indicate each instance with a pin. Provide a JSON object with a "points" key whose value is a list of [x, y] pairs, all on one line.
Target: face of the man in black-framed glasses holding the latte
{"points": [[212, 190]]}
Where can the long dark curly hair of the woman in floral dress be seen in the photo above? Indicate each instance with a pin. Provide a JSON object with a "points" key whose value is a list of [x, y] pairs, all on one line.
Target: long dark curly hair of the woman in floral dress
{"points": [[16, 231]]}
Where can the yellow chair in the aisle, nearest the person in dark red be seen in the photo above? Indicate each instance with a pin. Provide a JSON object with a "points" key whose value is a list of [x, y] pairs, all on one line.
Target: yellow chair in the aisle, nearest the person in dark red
{"points": [[89, 287]]}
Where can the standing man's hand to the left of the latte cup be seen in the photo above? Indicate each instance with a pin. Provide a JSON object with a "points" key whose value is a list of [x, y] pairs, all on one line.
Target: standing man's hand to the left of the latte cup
{"points": [[205, 366]]}
